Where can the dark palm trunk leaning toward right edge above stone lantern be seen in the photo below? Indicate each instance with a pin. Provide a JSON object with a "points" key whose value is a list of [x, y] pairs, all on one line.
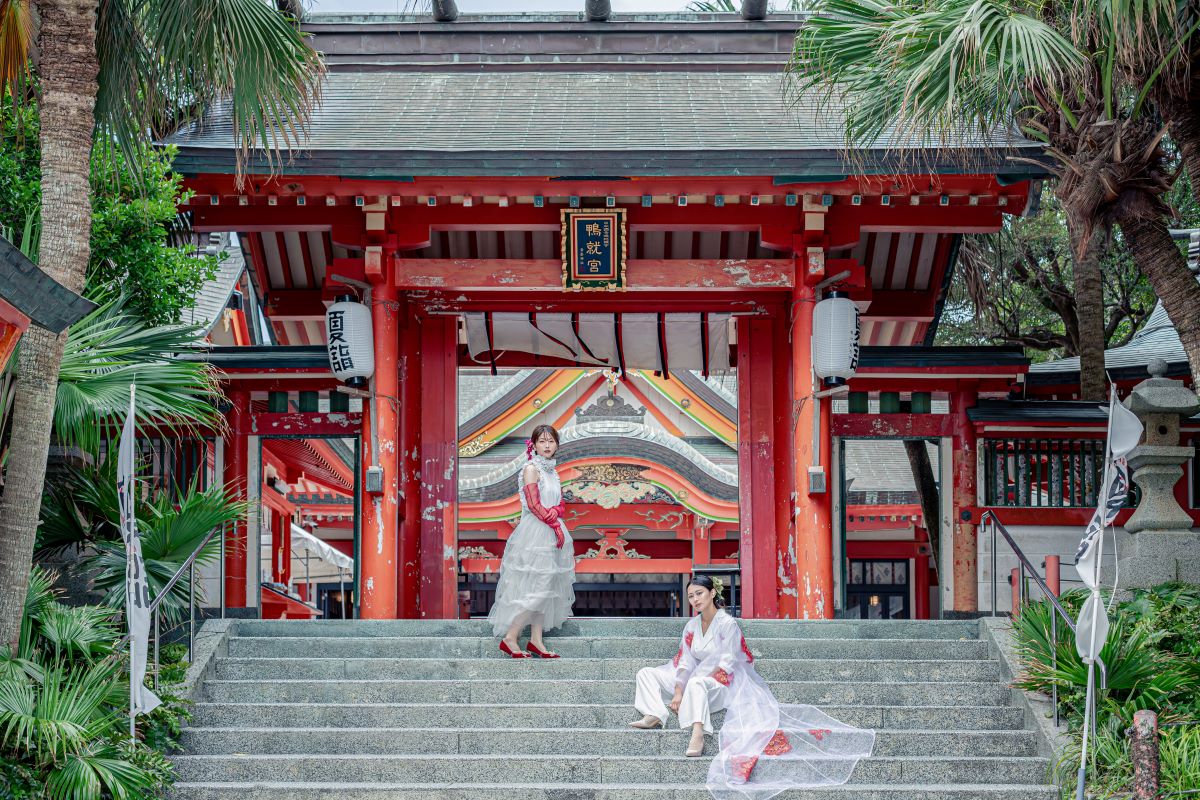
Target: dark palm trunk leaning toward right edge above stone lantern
{"points": [[1160, 260]]}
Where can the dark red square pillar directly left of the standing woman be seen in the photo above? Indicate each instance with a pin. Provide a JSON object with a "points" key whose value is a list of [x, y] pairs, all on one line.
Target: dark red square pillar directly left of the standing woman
{"points": [[439, 593]]}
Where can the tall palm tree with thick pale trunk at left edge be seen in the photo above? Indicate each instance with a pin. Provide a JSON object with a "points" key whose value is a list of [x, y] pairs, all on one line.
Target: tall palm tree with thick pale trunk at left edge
{"points": [[121, 71]]}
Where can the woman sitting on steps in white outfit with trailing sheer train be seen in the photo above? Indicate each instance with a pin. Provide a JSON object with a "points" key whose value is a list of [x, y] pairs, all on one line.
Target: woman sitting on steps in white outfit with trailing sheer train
{"points": [[766, 748]]}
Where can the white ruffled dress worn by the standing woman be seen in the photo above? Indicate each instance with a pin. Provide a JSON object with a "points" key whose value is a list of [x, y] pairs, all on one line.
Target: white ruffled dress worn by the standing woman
{"points": [[537, 576]]}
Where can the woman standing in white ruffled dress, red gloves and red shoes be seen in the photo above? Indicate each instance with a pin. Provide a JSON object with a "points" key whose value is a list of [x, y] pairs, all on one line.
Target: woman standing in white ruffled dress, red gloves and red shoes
{"points": [[537, 586]]}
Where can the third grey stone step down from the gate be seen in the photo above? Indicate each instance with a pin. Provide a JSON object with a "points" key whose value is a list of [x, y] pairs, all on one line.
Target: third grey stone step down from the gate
{"points": [[317, 669]]}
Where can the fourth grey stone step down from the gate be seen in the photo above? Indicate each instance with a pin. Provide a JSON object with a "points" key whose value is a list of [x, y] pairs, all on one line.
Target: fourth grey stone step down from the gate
{"points": [[530, 690]]}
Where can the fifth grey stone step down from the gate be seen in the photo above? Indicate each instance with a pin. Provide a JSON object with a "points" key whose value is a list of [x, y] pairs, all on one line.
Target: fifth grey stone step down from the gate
{"points": [[441, 715]]}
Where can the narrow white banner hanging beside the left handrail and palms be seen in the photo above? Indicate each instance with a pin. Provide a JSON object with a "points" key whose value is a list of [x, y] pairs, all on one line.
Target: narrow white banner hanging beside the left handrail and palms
{"points": [[137, 590]]}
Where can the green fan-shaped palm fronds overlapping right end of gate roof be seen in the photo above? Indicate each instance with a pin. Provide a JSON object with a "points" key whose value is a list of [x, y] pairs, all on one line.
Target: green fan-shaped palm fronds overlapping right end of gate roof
{"points": [[911, 75]]}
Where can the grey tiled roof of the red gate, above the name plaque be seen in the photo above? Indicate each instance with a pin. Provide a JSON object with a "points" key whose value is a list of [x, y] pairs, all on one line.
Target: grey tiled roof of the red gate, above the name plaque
{"points": [[601, 123]]}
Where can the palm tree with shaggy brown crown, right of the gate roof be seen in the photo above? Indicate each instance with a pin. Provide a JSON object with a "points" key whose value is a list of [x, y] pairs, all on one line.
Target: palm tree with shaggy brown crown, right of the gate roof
{"points": [[951, 71]]}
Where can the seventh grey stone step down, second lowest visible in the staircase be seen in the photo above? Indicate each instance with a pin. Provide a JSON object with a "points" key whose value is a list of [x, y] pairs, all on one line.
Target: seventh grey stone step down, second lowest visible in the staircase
{"points": [[575, 769]]}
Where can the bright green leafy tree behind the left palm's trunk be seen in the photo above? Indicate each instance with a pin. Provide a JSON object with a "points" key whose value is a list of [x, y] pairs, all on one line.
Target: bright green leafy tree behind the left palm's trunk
{"points": [[134, 210]]}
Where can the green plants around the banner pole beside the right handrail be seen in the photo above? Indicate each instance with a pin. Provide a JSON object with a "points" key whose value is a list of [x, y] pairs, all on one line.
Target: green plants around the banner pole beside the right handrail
{"points": [[1153, 663]]}
